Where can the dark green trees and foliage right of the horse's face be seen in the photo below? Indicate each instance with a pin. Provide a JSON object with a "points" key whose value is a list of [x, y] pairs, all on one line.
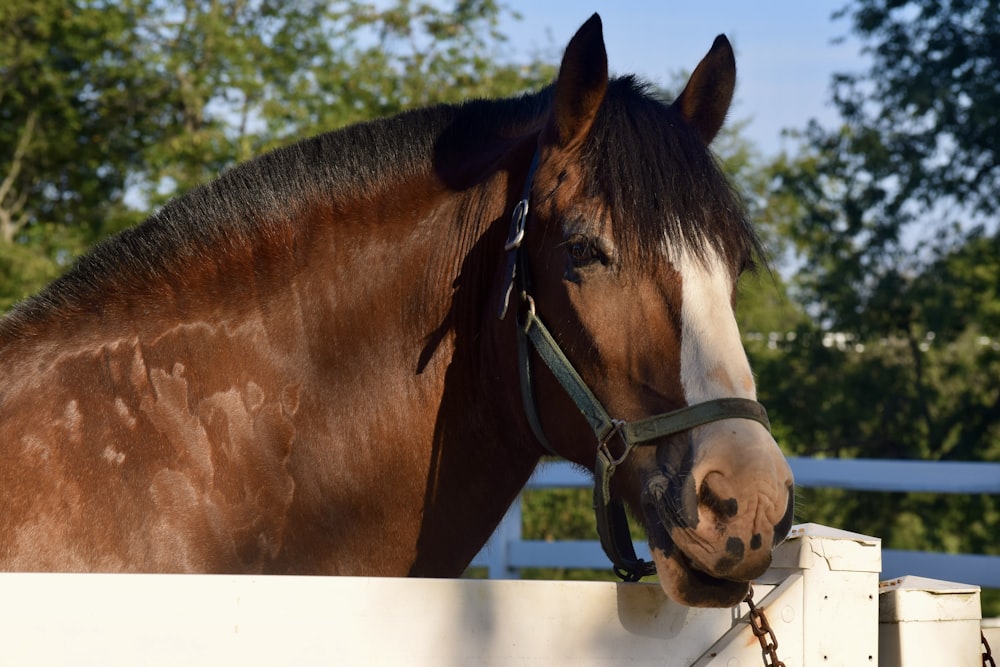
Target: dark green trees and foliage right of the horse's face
{"points": [[893, 217]]}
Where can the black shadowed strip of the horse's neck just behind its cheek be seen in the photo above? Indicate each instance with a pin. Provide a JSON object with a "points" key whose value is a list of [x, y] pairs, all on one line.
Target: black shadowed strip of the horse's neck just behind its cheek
{"points": [[482, 454]]}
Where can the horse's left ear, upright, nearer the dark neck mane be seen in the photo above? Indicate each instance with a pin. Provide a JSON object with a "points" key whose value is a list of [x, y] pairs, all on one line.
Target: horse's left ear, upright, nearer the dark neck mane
{"points": [[580, 88]]}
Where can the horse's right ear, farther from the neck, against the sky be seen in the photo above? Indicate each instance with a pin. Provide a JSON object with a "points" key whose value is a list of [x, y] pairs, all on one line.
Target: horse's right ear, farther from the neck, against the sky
{"points": [[705, 99]]}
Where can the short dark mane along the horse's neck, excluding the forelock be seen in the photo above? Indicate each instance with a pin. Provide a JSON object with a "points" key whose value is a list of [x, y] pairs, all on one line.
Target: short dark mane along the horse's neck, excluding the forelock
{"points": [[256, 202]]}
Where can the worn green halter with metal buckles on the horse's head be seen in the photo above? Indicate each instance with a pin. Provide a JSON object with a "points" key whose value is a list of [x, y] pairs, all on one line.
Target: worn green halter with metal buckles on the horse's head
{"points": [[612, 523]]}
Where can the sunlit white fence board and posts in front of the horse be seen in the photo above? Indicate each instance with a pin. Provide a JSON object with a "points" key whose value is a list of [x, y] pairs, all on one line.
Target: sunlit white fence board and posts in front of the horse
{"points": [[821, 596]]}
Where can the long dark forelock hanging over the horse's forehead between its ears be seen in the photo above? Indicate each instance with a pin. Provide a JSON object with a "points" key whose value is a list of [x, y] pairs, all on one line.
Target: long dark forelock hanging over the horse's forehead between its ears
{"points": [[662, 186]]}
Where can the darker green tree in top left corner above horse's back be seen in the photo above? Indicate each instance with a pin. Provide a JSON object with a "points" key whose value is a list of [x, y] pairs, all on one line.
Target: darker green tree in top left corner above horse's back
{"points": [[74, 107]]}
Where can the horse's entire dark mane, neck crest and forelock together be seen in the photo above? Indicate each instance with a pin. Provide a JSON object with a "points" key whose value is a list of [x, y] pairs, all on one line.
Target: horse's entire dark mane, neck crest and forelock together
{"points": [[630, 149]]}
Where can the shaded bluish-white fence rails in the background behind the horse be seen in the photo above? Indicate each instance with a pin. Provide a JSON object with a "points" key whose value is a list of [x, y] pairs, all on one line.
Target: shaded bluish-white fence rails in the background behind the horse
{"points": [[507, 552]]}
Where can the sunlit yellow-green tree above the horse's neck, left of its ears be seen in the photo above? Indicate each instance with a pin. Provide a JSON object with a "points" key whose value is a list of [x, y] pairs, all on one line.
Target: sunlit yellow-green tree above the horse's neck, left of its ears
{"points": [[251, 76]]}
